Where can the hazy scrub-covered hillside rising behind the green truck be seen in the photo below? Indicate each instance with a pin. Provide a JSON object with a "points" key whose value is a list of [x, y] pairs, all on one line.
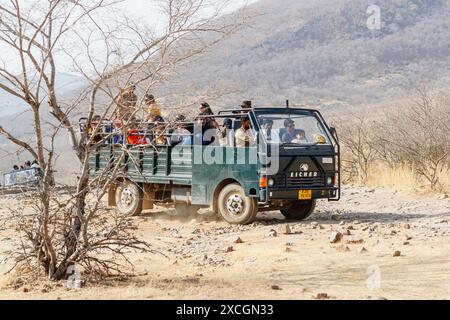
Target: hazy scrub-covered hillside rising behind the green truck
{"points": [[323, 50]]}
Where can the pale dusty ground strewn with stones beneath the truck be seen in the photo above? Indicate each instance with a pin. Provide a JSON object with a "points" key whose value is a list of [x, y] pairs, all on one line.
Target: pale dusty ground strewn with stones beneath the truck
{"points": [[270, 264]]}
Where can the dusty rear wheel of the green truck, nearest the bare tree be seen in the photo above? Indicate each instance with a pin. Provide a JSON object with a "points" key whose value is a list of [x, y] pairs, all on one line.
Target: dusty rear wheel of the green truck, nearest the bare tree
{"points": [[129, 198]]}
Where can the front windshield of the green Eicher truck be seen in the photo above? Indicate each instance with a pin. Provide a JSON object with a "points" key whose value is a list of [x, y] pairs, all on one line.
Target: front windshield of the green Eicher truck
{"points": [[294, 129]]}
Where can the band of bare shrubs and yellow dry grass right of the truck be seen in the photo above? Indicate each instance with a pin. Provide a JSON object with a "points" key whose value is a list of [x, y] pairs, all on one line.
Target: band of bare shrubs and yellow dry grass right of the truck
{"points": [[408, 145]]}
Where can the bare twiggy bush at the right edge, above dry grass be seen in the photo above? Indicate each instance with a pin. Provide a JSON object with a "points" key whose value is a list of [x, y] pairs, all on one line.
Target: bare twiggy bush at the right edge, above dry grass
{"points": [[418, 135]]}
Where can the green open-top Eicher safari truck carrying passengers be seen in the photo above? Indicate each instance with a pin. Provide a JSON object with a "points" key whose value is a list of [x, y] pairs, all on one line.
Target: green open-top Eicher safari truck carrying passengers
{"points": [[291, 160]]}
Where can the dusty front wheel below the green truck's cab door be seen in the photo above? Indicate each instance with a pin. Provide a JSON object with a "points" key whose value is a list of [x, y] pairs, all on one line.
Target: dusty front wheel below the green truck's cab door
{"points": [[235, 207]]}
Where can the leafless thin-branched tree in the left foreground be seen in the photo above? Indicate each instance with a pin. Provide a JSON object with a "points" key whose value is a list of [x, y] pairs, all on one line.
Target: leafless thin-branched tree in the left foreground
{"points": [[110, 55]]}
